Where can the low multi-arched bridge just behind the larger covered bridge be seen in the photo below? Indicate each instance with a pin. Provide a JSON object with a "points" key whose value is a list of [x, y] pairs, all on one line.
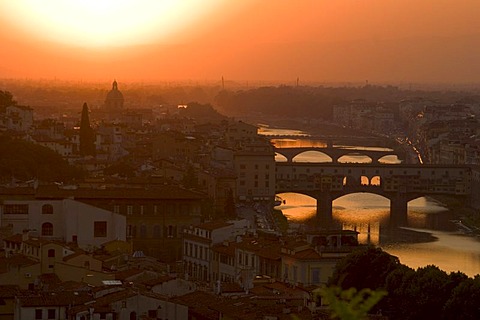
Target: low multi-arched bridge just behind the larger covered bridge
{"points": [[336, 153]]}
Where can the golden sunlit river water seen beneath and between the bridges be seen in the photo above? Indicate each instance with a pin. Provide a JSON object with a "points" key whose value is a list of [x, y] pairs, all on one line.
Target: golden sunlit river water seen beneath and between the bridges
{"points": [[430, 239]]}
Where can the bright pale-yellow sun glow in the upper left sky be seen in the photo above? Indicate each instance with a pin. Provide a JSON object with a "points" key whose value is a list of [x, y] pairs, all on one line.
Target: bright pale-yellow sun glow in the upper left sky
{"points": [[103, 23]]}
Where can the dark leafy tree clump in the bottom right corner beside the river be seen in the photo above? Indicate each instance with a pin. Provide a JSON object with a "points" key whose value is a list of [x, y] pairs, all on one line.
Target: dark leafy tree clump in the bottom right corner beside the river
{"points": [[425, 293]]}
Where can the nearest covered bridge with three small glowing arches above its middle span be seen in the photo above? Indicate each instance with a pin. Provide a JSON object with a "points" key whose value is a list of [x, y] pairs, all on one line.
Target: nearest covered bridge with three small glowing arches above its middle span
{"points": [[397, 182]]}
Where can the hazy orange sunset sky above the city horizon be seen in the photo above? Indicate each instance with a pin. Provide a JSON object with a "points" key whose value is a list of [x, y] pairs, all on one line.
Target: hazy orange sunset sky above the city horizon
{"points": [[246, 40]]}
